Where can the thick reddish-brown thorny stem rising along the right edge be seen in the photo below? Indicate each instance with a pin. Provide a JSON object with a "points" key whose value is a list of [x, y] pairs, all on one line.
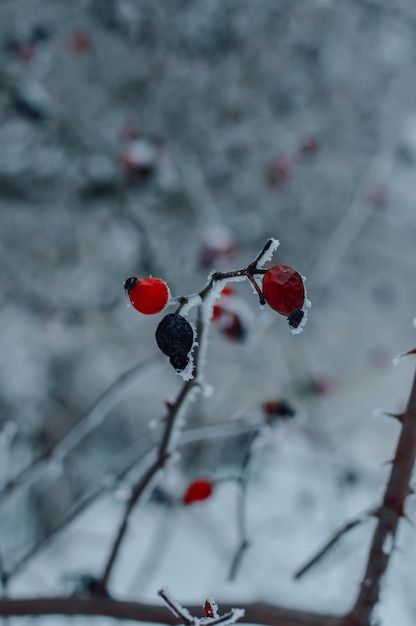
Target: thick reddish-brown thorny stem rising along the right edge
{"points": [[390, 513]]}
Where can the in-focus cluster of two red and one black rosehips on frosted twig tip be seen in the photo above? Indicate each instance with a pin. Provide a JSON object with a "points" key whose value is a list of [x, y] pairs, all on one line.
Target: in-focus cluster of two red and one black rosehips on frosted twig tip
{"points": [[281, 288]]}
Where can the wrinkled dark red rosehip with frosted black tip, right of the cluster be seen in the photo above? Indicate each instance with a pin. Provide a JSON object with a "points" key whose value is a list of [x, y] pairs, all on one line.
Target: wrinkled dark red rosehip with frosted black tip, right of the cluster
{"points": [[284, 292]]}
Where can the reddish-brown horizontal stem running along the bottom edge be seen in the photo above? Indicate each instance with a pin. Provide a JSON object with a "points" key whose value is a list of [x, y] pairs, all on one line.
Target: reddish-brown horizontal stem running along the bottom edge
{"points": [[257, 613]]}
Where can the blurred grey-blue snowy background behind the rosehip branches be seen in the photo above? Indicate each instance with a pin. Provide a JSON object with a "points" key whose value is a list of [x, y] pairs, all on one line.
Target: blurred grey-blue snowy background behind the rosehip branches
{"points": [[209, 93]]}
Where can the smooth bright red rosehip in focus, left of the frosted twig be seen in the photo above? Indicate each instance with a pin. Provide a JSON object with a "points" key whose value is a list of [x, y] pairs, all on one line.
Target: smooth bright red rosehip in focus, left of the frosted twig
{"points": [[147, 295]]}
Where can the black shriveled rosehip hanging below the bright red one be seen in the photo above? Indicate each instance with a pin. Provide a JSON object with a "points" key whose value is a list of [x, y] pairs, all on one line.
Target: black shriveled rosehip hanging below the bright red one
{"points": [[175, 338]]}
